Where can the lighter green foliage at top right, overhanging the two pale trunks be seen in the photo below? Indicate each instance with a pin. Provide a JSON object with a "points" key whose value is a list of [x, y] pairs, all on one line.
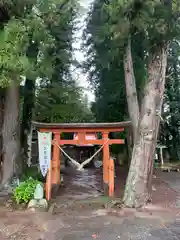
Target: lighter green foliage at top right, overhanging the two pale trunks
{"points": [[159, 20]]}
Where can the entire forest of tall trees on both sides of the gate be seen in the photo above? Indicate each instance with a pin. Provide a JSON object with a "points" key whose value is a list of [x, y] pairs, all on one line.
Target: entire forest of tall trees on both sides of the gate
{"points": [[132, 60]]}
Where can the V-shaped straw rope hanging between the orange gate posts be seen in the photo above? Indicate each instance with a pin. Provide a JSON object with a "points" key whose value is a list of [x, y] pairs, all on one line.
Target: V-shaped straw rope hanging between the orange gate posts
{"points": [[76, 163]]}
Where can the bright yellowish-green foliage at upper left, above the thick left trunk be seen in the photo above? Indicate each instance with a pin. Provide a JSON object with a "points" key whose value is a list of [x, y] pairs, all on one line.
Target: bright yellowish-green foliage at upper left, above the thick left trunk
{"points": [[16, 37]]}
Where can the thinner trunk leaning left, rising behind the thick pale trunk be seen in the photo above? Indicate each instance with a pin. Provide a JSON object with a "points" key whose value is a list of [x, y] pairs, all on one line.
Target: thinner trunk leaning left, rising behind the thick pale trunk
{"points": [[131, 92]]}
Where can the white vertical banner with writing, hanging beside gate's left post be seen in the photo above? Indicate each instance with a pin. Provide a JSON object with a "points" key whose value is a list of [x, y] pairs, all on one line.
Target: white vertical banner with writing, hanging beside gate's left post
{"points": [[44, 143]]}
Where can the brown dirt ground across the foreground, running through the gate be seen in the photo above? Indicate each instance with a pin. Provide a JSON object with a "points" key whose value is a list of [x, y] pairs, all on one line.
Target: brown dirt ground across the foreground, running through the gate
{"points": [[81, 212]]}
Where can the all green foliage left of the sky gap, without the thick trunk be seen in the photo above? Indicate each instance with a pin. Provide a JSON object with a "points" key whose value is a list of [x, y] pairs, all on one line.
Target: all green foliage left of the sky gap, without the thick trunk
{"points": [[38, 44]]}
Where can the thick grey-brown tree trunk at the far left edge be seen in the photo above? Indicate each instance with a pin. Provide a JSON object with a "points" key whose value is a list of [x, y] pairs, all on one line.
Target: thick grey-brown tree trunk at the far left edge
{"points": [[10, 134]]}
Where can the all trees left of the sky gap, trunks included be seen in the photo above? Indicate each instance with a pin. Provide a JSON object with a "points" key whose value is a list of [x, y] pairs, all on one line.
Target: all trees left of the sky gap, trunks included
{"points": [[36, 81]]}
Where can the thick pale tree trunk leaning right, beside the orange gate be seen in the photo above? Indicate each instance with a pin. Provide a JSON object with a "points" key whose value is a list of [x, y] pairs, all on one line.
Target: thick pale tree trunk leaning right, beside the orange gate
{"points": [[138, 186]]}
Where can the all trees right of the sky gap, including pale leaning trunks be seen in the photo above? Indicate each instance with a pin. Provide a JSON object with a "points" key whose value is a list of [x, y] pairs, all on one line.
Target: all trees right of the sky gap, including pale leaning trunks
{"points": [[133, 64]]}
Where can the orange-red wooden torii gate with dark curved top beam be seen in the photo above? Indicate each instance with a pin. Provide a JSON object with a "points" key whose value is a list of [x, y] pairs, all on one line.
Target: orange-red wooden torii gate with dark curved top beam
{"points": [[53, 176]]}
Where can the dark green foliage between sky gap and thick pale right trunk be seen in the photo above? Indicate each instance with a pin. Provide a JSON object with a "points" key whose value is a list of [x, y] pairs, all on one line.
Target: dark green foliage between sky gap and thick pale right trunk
{"points": [[105, 63]]}
